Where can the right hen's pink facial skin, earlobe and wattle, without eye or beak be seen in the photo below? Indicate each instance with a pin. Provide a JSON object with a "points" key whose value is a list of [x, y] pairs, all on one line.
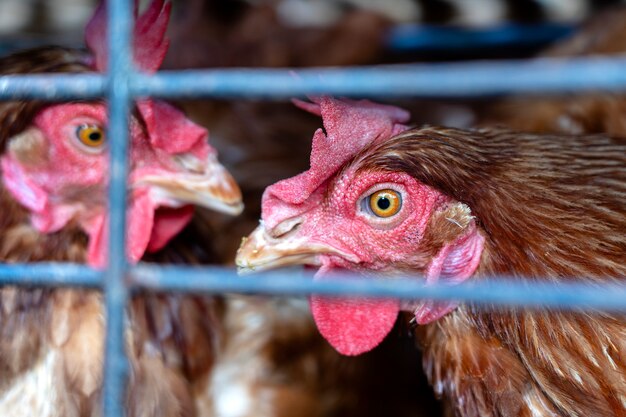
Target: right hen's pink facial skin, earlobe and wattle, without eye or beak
{"points": [[364, 243]]}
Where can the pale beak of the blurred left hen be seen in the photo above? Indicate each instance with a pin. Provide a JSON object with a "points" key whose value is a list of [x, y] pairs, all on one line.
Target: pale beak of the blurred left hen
{"points": [[204, 183]]}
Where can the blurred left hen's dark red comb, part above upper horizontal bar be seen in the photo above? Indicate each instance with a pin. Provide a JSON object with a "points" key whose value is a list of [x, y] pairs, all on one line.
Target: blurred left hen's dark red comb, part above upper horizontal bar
{"points": [[149, 41]]}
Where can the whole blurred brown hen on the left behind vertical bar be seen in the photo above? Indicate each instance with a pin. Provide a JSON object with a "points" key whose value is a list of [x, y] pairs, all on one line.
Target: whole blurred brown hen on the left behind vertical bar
{"points": [[53, 197]]}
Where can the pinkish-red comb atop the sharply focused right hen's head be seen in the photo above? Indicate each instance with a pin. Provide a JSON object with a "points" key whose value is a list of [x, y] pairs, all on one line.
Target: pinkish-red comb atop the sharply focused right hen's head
{"points": [[350, 126]]}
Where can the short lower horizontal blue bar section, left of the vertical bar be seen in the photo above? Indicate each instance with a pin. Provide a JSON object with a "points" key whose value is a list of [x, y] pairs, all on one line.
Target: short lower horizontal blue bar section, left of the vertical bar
{"points": [[50, 274]]}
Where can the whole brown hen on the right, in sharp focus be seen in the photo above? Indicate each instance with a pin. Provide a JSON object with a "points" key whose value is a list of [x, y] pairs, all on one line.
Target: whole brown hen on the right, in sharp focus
{"points": [[453, 205]]}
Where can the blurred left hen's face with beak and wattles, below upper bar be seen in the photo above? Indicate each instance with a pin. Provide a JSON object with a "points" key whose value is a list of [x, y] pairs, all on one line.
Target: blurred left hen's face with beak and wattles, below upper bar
{"points": [[58, 169]]}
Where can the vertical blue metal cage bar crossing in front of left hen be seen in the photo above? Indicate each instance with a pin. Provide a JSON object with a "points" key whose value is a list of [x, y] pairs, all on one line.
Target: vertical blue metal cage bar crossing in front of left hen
{"points": [[119, 26]]}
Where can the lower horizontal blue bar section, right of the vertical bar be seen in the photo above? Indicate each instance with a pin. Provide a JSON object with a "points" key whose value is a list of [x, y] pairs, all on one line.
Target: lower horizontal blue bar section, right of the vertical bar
{"points": [[505, 291]]}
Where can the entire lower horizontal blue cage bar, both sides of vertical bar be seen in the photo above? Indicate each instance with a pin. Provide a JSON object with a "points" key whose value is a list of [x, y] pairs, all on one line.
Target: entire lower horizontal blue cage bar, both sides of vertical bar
{"points": [[212, 280]]}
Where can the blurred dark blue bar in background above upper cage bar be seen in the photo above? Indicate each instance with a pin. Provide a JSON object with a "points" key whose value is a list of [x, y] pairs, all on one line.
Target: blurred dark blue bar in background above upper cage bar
{"points": [[424, 38]]}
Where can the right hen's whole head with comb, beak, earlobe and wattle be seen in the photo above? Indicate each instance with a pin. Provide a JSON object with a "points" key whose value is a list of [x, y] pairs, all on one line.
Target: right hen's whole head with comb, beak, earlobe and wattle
{"points": [[366, 218]]}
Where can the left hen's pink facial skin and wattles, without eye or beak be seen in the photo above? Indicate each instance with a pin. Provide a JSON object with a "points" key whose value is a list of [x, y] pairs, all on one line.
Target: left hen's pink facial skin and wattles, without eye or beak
{"points": [[71, 182]]}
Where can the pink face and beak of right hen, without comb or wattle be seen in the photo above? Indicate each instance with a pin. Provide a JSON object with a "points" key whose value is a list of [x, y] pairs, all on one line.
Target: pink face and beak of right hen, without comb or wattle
{"points": [[368, 221]]}
